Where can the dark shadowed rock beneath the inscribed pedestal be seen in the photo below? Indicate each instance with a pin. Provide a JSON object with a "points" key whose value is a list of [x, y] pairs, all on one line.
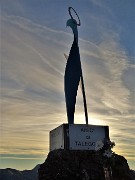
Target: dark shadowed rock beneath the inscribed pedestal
{"points": [[82, 165]]}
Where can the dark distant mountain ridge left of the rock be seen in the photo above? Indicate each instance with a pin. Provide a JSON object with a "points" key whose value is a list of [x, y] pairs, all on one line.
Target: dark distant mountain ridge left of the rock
{"points": [[13, 174]]}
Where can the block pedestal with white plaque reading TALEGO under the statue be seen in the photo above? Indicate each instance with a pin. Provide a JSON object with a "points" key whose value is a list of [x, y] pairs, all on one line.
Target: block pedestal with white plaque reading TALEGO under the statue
{"points": [[77, 136]]}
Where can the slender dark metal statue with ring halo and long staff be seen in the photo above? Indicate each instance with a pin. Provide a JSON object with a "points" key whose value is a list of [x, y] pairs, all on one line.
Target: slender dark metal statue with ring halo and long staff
{"points": [[73, 72]]}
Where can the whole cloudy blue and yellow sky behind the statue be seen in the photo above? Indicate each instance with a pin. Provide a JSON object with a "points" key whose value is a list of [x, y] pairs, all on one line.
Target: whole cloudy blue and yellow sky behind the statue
{"points": [[34, 38]]}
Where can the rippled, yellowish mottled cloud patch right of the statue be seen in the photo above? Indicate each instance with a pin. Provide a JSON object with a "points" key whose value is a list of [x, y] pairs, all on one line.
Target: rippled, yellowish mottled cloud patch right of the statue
{"points": [[107, 67]]}
